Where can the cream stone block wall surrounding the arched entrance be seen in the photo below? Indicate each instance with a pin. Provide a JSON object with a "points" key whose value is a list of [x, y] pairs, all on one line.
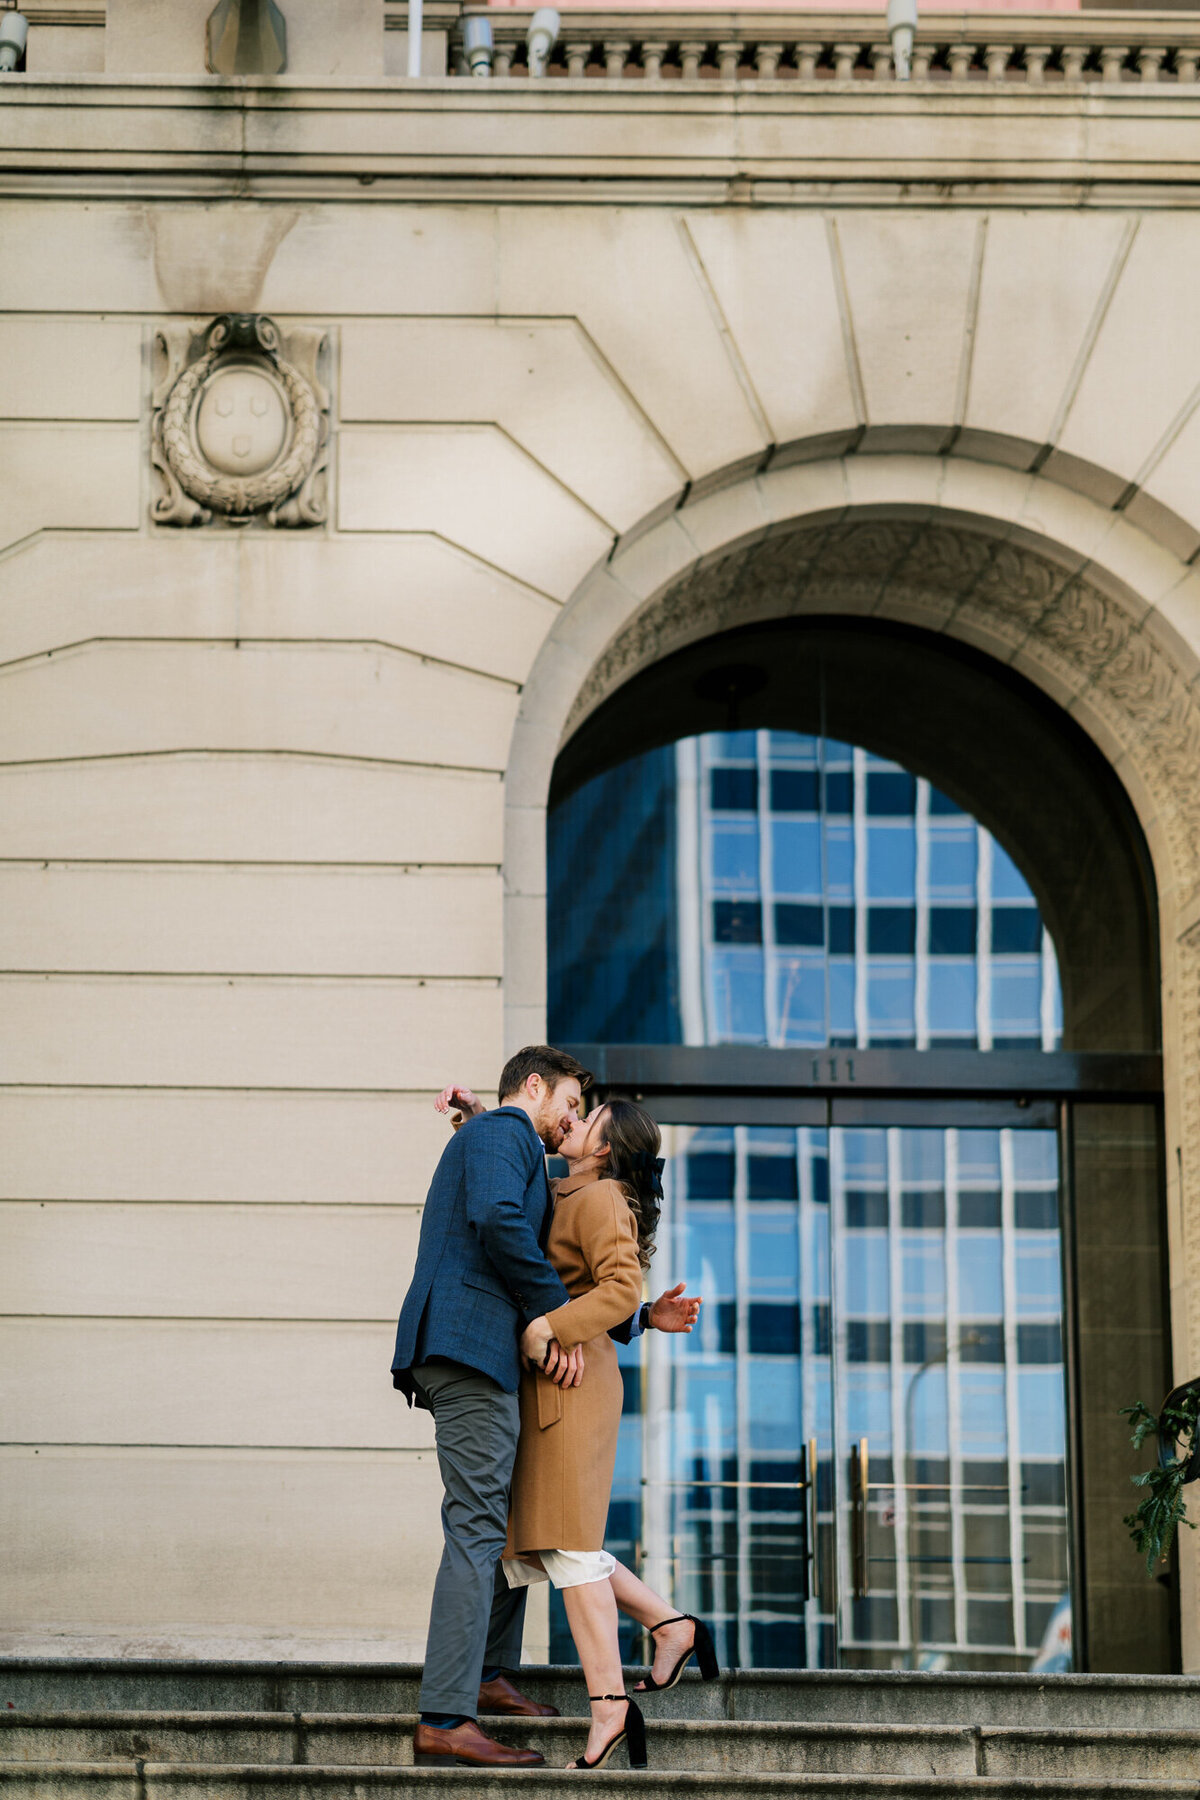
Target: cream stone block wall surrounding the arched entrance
{"points": [[273, 802]]}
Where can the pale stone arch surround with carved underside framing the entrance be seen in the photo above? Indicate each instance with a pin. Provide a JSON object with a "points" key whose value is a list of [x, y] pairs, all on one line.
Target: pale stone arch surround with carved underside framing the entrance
{"points": [[1061, 589]]}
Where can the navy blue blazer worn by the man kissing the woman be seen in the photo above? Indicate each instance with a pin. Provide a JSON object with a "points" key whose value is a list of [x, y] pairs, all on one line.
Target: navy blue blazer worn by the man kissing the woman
{"points": [[481, 1275]]}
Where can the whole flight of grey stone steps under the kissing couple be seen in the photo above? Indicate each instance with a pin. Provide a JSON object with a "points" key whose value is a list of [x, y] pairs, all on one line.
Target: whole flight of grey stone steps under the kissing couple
{"points": [[190, 1731]]}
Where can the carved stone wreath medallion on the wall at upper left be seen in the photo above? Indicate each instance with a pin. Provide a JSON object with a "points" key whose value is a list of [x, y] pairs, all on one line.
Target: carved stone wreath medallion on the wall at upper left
{"points": [[240, 426]]}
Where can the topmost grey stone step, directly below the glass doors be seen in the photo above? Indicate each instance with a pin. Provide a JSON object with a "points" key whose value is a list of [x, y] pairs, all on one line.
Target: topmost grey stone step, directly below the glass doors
{"points": [[794, 1695]]}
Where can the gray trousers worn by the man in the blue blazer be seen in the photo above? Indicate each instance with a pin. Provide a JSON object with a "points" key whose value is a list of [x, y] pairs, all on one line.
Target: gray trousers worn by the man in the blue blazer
{"points": [[476, 1621]]}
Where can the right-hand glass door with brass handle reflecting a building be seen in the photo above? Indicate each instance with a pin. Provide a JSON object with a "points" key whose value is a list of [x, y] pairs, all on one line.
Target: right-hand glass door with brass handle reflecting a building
{"points": [[951, 1396]]}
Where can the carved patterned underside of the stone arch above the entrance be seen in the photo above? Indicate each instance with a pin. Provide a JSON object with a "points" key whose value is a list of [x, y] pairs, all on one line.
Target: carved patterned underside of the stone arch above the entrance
{"points": [[1080, 634]]}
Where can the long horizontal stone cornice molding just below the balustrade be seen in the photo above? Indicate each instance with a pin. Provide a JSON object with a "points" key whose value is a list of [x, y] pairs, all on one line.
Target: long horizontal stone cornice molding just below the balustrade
{"points": [[623, 143]]}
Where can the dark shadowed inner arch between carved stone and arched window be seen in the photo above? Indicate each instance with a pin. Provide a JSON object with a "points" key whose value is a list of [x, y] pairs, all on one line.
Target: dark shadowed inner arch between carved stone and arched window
{"points": [[954, 717]]}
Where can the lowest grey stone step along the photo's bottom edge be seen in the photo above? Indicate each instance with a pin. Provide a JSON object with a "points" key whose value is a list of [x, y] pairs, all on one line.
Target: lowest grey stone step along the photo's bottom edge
{"points": [[240, 1781]]}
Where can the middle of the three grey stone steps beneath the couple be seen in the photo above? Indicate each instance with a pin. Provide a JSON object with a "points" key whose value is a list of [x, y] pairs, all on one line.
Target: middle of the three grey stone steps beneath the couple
{"points": [[685, 1745]]}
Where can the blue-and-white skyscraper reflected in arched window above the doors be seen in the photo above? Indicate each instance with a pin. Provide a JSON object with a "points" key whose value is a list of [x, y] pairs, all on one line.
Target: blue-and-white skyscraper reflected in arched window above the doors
{"points": [[843, 901]]}
